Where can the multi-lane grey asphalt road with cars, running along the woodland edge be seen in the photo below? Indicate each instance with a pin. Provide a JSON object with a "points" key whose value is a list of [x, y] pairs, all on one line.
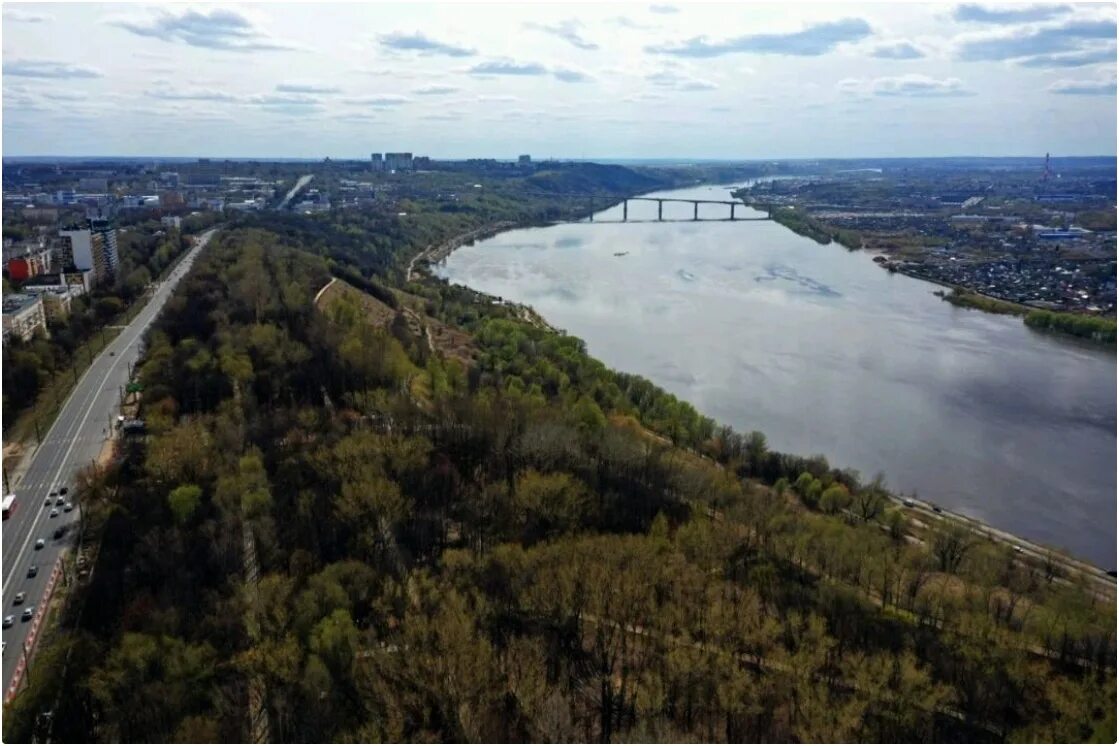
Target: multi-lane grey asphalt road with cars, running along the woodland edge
{"points": [[76, 439]]}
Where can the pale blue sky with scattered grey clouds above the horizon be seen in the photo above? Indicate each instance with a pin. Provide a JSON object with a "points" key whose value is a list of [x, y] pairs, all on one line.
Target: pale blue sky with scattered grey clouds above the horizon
{"points": [[595, 81]]}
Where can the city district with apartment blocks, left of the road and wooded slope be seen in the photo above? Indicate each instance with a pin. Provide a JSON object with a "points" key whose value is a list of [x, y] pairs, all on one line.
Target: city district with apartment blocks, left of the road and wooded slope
{"points": [[62, 221]]}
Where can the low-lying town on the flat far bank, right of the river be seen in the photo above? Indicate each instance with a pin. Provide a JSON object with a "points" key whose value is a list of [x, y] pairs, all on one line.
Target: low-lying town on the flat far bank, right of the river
{"points": [[1038, 233]]}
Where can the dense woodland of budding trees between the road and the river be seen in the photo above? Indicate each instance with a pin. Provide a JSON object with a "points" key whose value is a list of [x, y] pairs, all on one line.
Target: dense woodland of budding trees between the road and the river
{"points": [[334, 533]]}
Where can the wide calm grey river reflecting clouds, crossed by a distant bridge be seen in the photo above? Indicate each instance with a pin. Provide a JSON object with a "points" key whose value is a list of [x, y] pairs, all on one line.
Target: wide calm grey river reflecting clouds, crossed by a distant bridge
{"points": [[826, 353]]}
